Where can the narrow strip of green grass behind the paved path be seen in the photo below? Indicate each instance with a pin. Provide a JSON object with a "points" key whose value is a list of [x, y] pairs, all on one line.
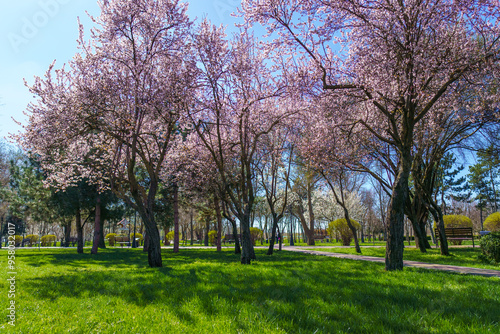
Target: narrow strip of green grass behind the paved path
{"points": [[465, 257]]}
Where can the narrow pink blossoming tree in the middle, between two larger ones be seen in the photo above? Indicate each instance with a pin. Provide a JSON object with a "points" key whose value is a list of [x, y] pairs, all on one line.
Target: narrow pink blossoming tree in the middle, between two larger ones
{"points": [[237, 106]]}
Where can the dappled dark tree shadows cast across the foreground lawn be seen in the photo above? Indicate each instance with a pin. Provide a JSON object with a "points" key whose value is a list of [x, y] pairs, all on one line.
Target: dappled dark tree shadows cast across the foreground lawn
{"points": [[299, 292]]}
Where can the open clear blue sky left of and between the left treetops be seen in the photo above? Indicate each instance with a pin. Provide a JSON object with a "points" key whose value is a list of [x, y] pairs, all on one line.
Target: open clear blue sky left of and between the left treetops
{"points": [[33, 33]]}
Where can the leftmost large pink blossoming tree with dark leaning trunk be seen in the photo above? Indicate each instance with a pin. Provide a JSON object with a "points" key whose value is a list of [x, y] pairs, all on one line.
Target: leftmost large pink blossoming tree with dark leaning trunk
{"points": [[114, 113]]}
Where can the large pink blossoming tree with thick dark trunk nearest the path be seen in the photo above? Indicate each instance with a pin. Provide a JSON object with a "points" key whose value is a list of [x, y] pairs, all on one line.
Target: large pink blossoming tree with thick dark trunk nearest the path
{"points": [[398, 59]]}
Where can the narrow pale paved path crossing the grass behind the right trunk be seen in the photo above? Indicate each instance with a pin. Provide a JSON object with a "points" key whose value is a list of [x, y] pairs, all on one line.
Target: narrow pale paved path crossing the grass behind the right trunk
{"points": [[414, 264]]}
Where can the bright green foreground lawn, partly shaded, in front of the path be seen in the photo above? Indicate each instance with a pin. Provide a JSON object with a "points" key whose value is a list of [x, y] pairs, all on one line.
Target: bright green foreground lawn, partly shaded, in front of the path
{"points": [[201, 291]]}
